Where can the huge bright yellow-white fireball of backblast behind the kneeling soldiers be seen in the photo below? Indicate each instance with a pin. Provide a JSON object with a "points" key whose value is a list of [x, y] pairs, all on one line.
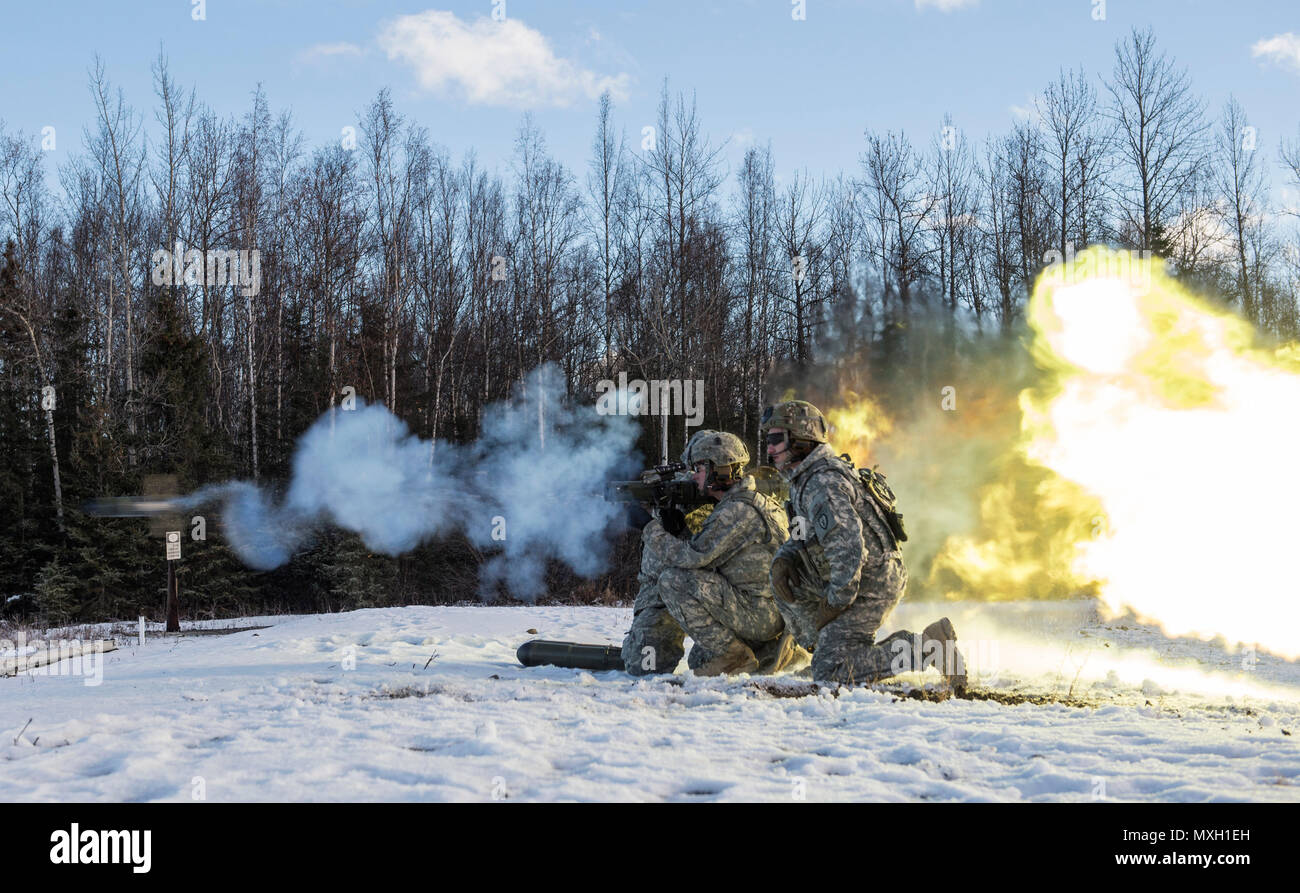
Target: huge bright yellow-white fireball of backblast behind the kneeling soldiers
{"points": [[1162, 411]]}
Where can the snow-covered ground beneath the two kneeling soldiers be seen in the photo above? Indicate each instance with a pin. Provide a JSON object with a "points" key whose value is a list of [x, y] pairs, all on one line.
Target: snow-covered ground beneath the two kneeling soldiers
{"points": [[350, 708]]}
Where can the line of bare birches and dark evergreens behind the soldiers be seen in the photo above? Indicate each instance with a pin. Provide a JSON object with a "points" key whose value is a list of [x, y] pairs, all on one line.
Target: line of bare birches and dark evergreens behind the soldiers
{"points": [[389, 270]]}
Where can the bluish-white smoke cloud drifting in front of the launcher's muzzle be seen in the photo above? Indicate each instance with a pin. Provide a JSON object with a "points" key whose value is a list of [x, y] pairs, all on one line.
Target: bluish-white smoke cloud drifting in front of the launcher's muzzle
{"points": [[531, 487]]}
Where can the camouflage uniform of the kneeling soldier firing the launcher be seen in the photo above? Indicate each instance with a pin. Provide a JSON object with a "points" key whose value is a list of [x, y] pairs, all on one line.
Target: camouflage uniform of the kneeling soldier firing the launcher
{"points": [[714, 588]]}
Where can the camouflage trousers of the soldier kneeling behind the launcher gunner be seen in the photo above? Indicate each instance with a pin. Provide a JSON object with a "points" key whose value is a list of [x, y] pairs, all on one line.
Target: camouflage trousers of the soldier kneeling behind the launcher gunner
{"points": [[846, 651]]}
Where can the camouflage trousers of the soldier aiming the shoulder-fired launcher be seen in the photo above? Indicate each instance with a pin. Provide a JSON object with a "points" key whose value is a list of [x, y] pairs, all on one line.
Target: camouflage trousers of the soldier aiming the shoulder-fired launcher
{"points": [[678, 602]]}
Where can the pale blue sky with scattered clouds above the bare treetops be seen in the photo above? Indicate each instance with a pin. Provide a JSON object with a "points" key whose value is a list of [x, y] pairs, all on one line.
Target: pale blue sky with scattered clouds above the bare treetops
{"points": [[811, 86]]}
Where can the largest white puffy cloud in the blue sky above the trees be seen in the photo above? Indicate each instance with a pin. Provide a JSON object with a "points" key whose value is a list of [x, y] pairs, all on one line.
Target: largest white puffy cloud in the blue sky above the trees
{"points": [[491, 63]]}
